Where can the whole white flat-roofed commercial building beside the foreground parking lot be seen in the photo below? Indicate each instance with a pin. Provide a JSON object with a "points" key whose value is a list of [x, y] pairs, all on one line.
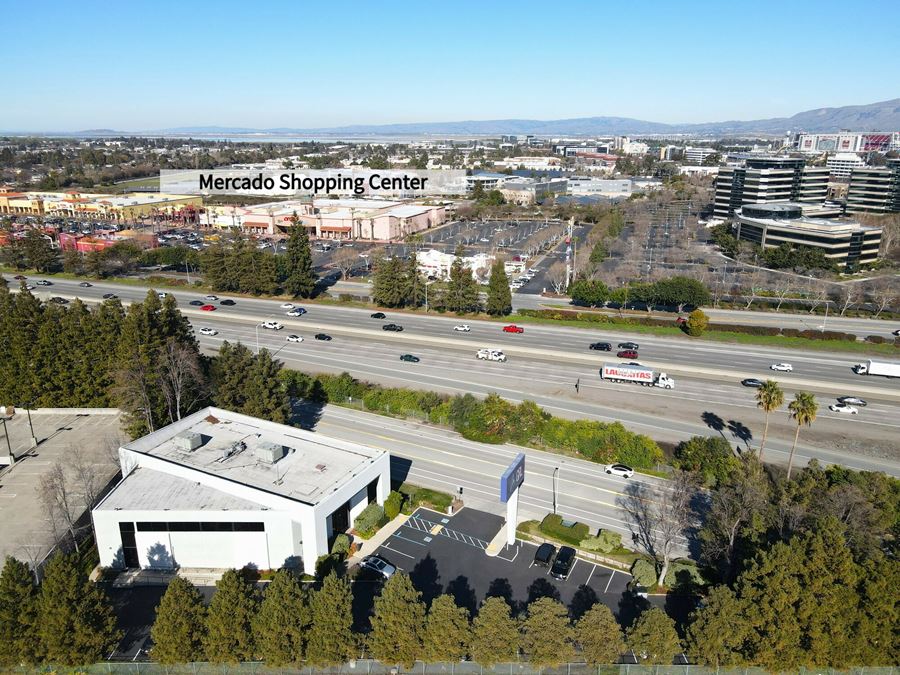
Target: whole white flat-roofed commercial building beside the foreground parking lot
{"points": [[223, 490]]}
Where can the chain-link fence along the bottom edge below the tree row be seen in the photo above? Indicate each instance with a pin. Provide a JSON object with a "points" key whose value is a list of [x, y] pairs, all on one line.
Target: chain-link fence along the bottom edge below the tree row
{"points": [[370, 667]]}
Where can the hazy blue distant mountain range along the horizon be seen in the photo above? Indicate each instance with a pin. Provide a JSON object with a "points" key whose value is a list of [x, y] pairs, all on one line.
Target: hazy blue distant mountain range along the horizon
{"points": [[883, 116]]}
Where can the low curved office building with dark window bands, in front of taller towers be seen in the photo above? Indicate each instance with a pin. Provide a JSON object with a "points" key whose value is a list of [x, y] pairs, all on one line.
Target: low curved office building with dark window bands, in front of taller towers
{"points": [[769, 225]]}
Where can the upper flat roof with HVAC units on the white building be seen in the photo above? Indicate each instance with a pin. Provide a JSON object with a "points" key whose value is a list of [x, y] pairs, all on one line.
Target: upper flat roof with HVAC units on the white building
{"points": [[235, 447]]}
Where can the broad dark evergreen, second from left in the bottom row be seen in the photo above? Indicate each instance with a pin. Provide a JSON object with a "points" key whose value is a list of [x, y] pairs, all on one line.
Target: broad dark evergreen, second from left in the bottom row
{"points": [[76, 624]]}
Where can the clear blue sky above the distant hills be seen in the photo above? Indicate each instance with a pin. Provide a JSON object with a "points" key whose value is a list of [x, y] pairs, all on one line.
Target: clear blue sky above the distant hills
{"points": [[152, 65]]}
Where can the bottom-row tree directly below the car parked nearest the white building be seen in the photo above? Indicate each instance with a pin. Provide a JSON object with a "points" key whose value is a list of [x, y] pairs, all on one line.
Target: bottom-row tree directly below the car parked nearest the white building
{"points": [[397, 623]]}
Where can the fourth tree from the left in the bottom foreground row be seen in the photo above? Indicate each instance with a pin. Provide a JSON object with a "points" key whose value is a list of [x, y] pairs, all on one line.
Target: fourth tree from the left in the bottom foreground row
{"points": [[229, 635]]}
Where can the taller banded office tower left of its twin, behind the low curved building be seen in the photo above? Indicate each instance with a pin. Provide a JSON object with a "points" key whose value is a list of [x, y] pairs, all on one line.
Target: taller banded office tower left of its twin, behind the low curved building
{"points": [[764, 180]]}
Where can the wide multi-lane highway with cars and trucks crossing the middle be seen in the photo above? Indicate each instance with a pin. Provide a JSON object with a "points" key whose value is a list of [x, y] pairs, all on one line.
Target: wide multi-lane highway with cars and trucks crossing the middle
{"points": [[708, 397]]}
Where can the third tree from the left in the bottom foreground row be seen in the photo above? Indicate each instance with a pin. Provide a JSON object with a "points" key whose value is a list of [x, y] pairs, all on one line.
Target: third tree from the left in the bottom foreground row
{"points": [[178, 629]]}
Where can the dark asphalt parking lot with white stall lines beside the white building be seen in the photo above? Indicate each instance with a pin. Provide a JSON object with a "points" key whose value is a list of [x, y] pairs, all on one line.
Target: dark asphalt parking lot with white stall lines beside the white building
{"points": [[446, 554]]}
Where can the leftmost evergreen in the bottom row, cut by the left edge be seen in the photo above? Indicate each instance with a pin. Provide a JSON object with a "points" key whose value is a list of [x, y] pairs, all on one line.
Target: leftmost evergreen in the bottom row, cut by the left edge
{"points": [[19, 643]]}
